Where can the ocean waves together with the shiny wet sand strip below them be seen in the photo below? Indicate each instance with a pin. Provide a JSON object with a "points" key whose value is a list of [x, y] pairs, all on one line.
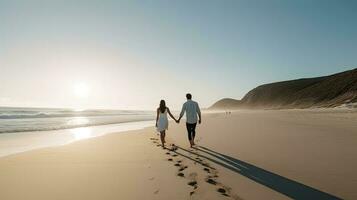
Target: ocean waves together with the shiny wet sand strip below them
{"points": [[26, 129]]}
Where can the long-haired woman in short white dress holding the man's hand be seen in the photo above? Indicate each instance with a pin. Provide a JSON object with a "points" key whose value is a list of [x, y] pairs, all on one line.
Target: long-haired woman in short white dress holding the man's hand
{"points": [[162, 123]]}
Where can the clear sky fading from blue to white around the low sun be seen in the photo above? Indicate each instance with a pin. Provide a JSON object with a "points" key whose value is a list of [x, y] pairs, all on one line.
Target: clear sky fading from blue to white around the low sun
{"points": [[131, 54]]}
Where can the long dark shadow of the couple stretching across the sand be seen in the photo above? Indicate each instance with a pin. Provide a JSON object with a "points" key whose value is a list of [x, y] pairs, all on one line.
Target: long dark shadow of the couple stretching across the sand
{"points": [[276, 182]]}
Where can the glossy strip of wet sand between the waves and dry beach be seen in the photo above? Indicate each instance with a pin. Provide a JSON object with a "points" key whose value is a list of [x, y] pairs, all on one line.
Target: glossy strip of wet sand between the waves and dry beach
{"points": [[16, 142]]}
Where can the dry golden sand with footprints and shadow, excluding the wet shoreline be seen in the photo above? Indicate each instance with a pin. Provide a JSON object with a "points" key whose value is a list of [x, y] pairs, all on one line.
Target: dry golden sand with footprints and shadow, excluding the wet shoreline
{"points": [[291, 154]]}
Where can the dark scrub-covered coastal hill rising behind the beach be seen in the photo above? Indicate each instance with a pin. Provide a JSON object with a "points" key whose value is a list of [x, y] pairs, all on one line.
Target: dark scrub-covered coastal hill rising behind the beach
{"points": [[327, 91]]}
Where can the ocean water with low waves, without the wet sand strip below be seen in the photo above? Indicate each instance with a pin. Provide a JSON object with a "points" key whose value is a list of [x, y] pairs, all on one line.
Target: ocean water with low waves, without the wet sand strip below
{"points": [[45, 119]]}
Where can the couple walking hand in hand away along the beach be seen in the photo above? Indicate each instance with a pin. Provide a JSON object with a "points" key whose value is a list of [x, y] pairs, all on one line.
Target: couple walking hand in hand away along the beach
{"points": [[191, 109]]}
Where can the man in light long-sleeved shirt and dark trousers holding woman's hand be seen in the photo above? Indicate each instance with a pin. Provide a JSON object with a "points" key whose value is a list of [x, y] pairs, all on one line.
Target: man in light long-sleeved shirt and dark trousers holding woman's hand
{"points": [[192, 110]]}
